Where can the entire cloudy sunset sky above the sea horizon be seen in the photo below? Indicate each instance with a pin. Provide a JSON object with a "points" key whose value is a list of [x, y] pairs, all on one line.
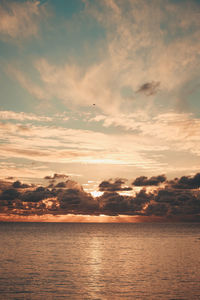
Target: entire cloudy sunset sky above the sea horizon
{"points": [[94, 92]]}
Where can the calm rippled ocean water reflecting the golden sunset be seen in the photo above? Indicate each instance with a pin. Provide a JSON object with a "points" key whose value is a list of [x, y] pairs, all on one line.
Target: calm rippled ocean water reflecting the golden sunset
{"points": [[99, 261]]}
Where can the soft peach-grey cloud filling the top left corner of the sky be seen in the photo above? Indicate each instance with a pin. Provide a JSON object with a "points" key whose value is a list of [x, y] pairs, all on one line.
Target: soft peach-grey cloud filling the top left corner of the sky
{"points": [[21, 19]]}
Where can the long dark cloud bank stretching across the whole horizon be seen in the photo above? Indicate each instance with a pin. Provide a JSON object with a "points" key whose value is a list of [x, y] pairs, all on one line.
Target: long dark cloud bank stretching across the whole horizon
{"points": [[177, 199]]}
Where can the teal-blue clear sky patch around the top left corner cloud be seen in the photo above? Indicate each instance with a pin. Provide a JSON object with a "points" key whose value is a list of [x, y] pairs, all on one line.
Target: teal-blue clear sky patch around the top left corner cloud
{"points": [[61, 40]]}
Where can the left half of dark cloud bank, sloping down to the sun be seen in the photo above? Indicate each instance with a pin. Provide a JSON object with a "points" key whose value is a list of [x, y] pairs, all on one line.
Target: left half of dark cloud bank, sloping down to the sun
{"points": [[42, 200]]}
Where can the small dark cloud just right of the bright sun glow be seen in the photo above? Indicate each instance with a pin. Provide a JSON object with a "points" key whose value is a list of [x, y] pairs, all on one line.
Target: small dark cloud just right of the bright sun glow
{"points": [[116, 185]]}
